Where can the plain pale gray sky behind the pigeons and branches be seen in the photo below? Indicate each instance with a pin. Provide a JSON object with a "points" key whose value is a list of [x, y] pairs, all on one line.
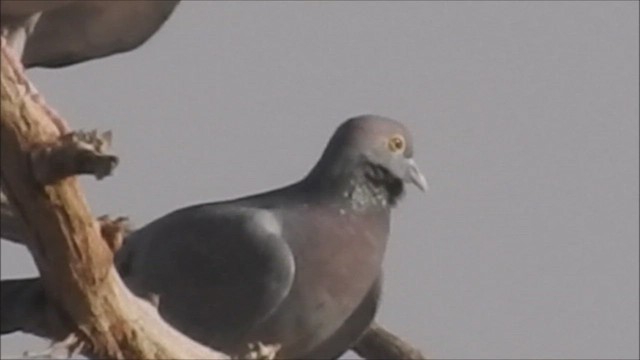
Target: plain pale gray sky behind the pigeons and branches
{"points": [[525, 117]]}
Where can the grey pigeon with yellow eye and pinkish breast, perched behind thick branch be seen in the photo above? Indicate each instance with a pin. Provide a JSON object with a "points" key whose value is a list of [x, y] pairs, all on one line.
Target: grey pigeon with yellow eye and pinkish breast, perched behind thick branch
{"points": [[299, 267]]}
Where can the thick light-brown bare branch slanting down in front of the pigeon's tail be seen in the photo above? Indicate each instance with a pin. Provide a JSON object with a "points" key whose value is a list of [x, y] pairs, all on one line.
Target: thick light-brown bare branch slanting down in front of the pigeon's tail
{"points": [[74, 261]]}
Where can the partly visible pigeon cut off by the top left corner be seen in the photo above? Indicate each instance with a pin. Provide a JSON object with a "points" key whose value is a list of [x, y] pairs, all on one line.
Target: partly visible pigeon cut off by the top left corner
{"points": [[50, 33]]}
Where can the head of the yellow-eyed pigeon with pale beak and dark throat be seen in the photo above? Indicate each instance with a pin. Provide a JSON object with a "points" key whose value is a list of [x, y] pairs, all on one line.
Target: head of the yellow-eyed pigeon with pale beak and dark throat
{"points": [[368, 160]]}
